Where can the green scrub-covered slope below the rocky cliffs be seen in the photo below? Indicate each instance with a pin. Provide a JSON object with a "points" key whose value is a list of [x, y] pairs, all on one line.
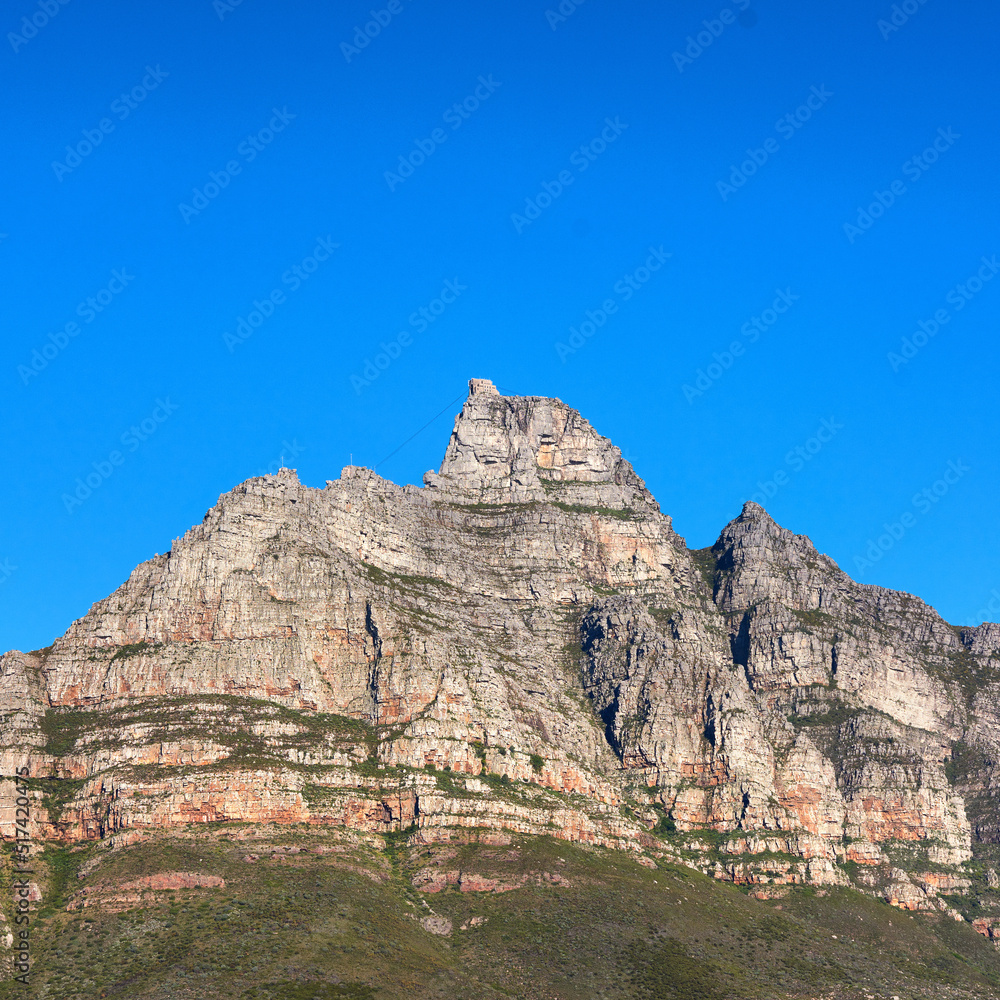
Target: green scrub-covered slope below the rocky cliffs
{"points": [[580, 923]]}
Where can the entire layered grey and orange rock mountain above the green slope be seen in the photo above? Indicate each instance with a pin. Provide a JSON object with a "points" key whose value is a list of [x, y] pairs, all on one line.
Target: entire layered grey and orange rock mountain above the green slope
{"points": [[523, 644]]}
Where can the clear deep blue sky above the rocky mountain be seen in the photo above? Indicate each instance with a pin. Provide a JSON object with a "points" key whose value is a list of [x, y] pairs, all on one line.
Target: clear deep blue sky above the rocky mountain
{"points": [[214, 147]]}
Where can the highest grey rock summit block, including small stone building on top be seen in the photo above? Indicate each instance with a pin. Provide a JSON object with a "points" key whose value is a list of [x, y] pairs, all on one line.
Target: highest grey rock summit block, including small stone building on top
{"points": [[517, 449]]}
